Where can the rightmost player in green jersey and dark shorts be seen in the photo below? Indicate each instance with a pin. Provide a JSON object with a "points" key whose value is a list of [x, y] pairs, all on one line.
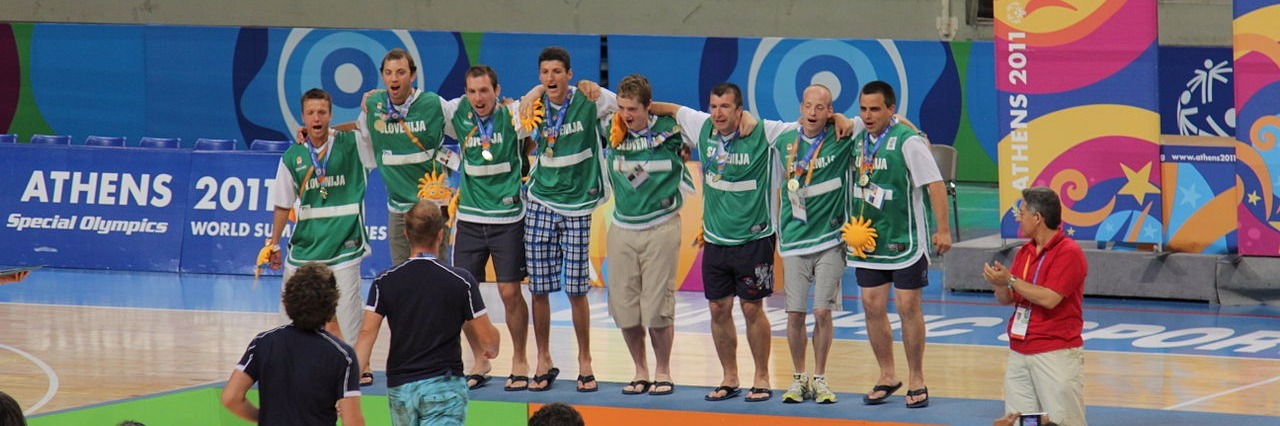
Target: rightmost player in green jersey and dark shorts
{"points": [[893, 166]]}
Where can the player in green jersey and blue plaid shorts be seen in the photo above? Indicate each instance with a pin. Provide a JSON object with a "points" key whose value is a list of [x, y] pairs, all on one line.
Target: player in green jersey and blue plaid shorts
{"points": [[565, 186]]}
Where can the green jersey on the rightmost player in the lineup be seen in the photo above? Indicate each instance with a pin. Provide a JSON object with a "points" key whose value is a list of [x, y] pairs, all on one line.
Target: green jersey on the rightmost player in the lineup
{"points": [[900, 219]]}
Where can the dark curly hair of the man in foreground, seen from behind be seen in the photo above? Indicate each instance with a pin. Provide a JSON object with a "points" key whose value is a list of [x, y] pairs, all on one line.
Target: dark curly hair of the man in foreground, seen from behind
{"points": [[312, 296]]}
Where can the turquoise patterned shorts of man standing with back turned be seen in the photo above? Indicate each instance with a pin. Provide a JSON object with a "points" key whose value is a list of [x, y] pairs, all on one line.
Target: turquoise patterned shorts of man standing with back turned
{"points": [[437, 401]]}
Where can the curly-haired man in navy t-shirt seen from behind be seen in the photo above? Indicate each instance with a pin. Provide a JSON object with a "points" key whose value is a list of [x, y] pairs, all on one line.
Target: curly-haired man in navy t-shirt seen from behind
{"points": [[303, 372]]}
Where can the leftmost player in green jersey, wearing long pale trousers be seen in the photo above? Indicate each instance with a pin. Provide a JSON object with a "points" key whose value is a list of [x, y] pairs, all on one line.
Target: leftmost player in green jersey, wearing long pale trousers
{"points": [[327, 177]]}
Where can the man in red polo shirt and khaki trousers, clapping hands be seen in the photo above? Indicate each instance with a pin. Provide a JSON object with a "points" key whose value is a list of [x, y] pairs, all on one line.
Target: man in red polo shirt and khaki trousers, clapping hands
{"points": [[1046, 286]]}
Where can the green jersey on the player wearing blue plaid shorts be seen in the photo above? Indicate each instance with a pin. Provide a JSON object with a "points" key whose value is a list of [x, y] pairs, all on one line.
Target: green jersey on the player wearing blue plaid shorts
{"points": [[568, 175]]}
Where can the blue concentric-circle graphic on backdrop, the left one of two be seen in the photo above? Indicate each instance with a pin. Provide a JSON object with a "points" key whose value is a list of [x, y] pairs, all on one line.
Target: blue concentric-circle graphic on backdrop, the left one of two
{"points": [[344, 63]]}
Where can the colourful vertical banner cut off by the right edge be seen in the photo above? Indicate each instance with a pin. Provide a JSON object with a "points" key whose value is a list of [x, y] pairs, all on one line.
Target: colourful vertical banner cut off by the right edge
{"points": [[1258, 102]]}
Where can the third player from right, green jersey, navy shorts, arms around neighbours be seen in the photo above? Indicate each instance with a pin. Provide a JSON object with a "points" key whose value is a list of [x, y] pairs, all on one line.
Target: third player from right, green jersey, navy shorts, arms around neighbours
{"points": [[739, 228]]}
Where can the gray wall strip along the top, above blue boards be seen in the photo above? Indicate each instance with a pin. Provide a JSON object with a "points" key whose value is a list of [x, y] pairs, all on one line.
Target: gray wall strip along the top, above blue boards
{"points": [[1182, 22]]}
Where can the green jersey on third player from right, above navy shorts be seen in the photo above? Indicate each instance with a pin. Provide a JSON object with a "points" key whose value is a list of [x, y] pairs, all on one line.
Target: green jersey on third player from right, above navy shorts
{"points": [[738, 199]]}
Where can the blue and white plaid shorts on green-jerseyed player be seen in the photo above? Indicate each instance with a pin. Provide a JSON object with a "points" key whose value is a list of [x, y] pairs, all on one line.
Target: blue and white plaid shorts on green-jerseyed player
{"points": [[555, 246]]}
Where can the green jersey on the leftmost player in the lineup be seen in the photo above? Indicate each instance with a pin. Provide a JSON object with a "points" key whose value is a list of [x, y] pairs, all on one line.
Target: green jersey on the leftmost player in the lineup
{"points": [[331, 227]]}
